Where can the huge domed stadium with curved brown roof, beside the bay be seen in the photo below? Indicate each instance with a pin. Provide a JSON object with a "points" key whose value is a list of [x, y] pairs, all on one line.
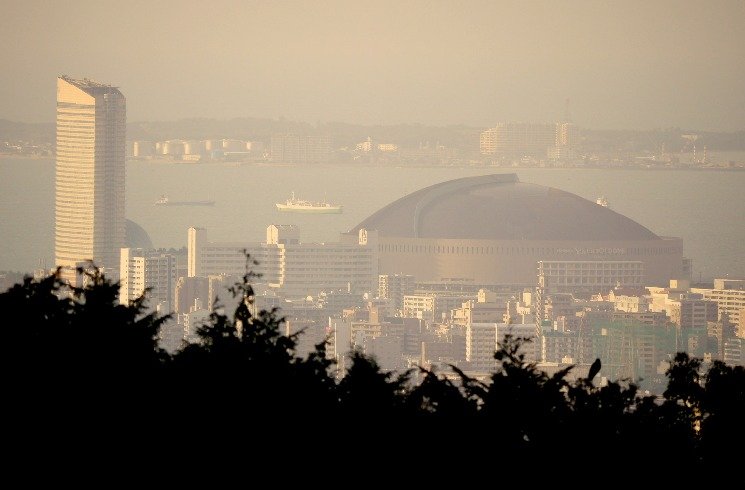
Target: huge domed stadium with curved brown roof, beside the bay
{"points": [[494, 229]]}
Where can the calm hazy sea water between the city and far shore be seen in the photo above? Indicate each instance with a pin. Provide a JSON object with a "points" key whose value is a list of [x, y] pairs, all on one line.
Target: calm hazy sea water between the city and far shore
{"points": [[705, 208]]}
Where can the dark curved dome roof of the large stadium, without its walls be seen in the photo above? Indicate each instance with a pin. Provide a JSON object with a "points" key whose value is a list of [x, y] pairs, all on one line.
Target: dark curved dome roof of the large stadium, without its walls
{"points": [[500, 207]]}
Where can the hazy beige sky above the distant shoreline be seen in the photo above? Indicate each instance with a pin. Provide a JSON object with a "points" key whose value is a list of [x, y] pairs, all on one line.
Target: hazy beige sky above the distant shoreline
{"points": [[622, 64]]}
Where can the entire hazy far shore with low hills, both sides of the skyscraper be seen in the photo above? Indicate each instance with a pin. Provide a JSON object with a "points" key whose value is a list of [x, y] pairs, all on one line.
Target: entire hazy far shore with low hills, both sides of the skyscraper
{"points": [[506, 144]]}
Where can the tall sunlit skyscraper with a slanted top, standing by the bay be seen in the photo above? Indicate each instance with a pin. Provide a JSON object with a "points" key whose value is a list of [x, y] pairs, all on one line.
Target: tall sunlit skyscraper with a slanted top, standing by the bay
{"points": [[89, 184]]}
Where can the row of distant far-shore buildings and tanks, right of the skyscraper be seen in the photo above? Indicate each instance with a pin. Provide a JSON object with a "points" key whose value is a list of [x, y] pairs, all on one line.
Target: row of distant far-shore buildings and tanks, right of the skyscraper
{"points": [[507, 144]]}
